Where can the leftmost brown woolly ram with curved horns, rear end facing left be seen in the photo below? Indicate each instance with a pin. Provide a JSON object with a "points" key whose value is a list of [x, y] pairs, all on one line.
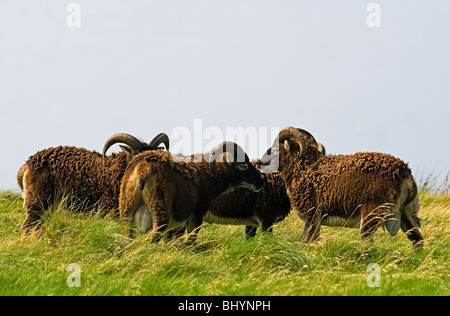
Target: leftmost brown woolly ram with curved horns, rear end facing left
{"points": [[84, 176]]}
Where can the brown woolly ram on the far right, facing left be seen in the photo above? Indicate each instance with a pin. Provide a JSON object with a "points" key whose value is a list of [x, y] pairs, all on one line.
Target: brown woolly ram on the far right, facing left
{"points": [[364, 190]]}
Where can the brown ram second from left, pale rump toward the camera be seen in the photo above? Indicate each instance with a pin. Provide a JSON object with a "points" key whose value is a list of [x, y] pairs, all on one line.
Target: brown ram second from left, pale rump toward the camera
{"points": [[163, 192]]}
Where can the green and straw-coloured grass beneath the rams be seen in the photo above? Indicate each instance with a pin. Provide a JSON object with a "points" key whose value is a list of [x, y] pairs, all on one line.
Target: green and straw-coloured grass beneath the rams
{"points": [[221, 262]]}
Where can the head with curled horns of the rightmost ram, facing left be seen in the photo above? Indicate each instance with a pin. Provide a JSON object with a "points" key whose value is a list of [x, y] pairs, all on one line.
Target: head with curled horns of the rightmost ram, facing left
{"points": [[291, 143]]}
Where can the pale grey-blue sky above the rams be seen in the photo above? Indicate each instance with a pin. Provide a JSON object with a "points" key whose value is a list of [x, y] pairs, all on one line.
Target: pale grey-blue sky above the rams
{"points": [[145, 67]]}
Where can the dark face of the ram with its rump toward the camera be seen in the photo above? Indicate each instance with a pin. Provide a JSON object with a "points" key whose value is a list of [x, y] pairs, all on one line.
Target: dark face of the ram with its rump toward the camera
{"points": [[245, 175]]}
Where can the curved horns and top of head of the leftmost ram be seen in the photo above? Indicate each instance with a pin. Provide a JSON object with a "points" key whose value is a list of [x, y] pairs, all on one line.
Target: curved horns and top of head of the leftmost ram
{"points": [[133, 146]]}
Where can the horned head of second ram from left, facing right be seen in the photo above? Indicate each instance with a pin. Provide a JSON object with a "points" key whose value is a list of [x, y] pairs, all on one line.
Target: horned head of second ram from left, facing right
{"points": [[242, 173]]}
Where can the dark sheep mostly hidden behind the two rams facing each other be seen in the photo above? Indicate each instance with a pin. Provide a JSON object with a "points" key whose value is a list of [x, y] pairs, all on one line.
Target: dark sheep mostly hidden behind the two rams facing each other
{"points": [[262, 209]]}
